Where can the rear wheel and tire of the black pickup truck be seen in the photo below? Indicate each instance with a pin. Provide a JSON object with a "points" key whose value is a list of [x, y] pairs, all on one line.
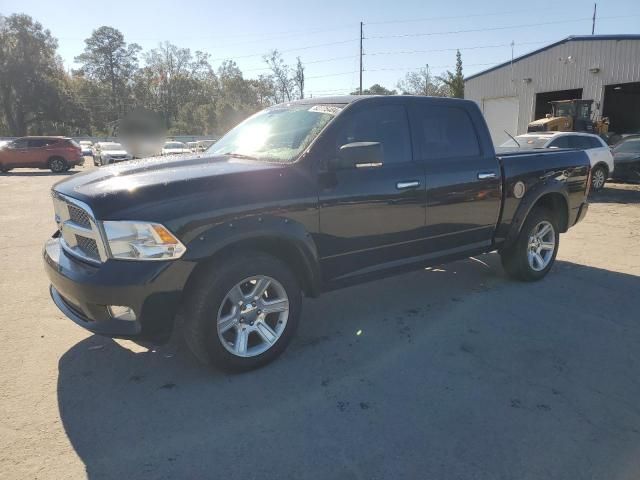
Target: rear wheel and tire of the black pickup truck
{"points": [[517, 259]]}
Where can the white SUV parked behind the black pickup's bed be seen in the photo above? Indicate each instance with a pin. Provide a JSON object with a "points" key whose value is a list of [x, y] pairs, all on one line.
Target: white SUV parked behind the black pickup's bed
{"points": [[599, 152]]}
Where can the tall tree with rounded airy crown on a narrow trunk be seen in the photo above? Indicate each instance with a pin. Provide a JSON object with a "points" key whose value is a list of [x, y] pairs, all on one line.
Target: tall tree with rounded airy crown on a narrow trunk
{"points": [[107, 59]]}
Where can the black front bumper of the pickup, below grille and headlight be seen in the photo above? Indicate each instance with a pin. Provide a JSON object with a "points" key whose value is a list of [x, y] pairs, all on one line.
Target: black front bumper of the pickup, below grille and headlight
{"points": [[82, 292]]}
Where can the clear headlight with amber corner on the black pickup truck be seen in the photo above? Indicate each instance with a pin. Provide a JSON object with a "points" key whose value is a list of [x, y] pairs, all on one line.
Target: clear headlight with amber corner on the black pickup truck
{"points": [[142, 241]]}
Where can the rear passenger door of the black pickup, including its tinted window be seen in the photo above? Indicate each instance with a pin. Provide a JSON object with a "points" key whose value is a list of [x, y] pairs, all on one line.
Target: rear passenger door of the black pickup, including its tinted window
{"points": [[463, 176]]}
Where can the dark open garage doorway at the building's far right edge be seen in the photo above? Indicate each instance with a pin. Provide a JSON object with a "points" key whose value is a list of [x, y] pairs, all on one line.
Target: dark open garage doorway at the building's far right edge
{"points": [[622, 106]]}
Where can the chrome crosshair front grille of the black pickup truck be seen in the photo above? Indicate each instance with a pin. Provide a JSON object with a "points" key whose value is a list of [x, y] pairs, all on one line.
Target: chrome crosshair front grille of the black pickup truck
{"points": [[79, 230]]}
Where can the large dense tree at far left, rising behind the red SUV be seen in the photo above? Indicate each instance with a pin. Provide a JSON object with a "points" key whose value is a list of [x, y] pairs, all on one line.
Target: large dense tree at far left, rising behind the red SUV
{"points": [[34, 90]]}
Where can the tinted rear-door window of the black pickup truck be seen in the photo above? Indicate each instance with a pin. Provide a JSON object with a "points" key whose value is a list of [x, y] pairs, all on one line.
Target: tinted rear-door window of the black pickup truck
{"points": [[446, 132]]}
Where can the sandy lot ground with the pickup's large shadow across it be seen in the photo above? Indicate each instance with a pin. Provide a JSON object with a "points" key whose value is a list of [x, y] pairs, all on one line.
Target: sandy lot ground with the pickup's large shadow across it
{"points": [[457, 373]]}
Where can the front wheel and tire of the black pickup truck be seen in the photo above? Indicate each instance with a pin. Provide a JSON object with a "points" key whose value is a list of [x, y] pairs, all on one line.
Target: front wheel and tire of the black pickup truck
{"points": [[210, 300]]}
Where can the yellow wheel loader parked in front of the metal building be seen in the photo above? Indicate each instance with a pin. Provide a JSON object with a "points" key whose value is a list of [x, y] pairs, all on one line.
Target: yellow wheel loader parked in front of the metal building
{"points": [[570, 116]]}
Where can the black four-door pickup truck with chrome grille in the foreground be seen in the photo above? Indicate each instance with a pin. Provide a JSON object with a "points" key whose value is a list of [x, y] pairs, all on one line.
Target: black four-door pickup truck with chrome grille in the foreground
{"points": [[298, 199]]}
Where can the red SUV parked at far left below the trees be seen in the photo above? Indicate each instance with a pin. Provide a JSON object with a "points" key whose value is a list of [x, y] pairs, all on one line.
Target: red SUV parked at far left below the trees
{"points": [[55, 153]]}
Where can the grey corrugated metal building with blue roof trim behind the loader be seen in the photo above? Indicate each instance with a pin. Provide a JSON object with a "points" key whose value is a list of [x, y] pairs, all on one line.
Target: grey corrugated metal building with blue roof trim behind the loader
{"points": [[603, 68]]}
